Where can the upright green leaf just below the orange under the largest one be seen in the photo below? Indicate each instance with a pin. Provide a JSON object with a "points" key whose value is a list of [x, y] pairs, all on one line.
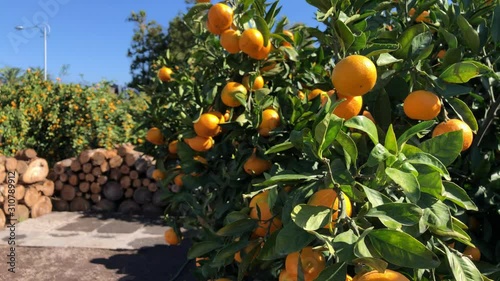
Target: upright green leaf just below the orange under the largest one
{"points": [[326, 131]]}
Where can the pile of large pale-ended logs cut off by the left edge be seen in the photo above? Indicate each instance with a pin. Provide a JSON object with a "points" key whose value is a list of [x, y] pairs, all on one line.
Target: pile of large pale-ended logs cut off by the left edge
{"points": [[25, 190]]}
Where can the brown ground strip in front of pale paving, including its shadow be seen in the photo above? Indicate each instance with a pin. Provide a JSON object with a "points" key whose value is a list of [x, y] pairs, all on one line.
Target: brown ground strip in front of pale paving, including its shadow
{"points": [[156, 263]]}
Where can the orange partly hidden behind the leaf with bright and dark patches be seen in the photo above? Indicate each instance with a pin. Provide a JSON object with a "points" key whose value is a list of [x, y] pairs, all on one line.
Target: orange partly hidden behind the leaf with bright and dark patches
{"points": [[328, 198]]}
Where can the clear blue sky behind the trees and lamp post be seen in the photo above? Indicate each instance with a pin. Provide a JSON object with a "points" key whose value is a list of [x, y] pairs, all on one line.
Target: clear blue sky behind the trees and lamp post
{"points": [[91, 36]]}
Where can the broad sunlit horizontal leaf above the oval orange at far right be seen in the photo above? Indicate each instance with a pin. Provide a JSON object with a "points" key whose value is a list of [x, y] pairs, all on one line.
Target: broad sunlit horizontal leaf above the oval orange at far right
{"points": [[462, 72]]}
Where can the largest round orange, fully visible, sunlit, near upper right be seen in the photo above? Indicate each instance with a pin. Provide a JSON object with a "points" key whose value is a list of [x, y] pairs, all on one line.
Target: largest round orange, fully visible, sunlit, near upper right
{"points": [[354, 75]]}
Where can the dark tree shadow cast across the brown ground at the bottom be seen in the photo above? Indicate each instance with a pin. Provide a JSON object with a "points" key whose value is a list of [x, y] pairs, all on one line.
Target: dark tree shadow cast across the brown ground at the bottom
{"points": [[160, 262]]}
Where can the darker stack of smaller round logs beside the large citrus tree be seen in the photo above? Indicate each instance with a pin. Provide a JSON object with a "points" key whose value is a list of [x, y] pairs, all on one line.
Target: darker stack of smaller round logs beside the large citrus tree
{"points": [[117, 179]]}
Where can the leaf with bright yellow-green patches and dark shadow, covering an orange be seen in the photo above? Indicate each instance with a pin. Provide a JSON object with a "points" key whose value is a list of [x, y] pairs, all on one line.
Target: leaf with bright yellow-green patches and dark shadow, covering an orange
{"points": [[311, 217]]}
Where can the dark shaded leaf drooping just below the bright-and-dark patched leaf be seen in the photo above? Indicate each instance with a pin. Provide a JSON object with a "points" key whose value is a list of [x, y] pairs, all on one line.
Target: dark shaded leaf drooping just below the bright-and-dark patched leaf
{"points": [[290, 238]]}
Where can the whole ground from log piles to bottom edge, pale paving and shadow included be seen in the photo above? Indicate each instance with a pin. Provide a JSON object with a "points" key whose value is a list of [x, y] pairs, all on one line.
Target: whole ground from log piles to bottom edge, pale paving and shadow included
{"points": [[74, 246]]}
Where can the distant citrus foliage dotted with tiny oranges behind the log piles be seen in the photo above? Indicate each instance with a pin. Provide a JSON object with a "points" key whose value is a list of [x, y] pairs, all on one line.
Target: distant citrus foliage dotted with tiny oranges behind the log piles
{"points": [[59, 120]]}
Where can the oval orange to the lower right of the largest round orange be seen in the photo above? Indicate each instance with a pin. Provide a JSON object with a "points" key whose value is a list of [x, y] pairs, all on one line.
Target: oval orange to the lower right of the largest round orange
{"points": [[422, 105]]}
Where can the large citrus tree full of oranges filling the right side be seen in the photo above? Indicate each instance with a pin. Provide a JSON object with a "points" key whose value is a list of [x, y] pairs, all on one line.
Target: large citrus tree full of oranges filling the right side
{"points": [[305, 153]]}
